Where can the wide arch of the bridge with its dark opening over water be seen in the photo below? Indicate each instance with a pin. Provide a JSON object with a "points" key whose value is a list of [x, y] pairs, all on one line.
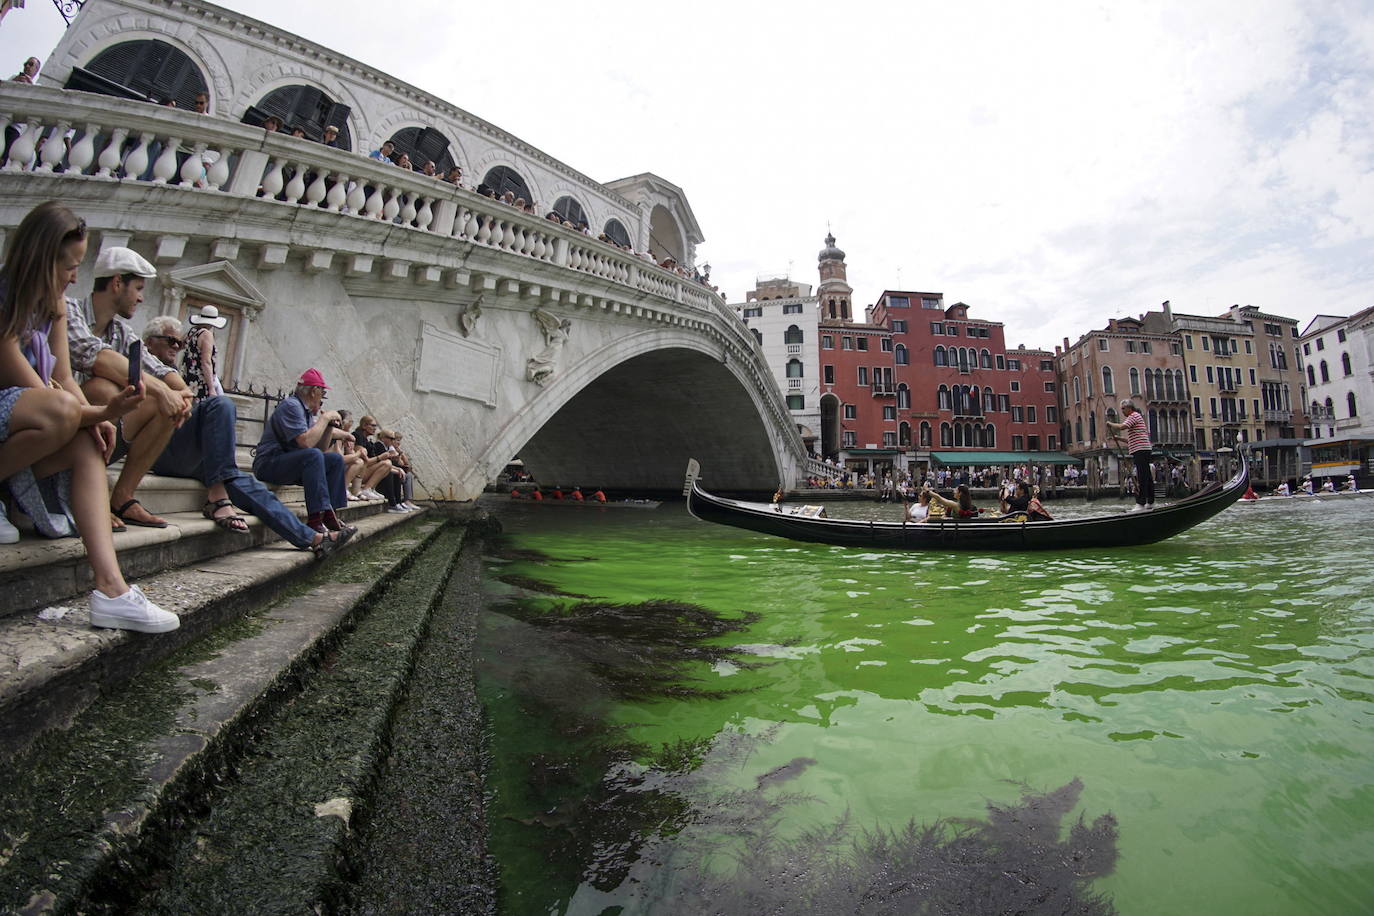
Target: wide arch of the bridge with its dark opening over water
{"points": [[634, 411]]}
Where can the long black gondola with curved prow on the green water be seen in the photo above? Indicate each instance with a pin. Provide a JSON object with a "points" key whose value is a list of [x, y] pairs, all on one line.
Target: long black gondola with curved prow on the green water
{"points": [[1127, 529]]}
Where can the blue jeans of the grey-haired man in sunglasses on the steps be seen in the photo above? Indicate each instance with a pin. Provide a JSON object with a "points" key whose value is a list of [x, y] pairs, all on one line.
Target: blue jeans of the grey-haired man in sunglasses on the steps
{"points": [[204, 450]]}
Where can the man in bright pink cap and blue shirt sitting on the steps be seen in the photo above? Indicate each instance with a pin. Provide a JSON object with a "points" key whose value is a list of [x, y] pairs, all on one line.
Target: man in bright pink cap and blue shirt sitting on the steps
{"points": [[292, 451]]}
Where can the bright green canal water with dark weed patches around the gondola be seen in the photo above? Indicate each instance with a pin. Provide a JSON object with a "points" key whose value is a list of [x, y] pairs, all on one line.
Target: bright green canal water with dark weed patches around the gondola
{"points": [[1181, 729]]}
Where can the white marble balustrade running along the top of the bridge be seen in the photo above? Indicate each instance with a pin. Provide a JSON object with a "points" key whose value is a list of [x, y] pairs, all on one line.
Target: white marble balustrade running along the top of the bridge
{"points": [[94, 138]]}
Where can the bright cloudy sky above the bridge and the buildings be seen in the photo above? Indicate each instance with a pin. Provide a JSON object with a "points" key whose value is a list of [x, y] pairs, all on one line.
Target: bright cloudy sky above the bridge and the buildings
{"points": [[1052, 164]]}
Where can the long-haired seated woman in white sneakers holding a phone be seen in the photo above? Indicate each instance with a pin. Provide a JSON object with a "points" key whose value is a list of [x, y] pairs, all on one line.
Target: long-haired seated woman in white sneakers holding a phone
{"points": [[46, 424]]}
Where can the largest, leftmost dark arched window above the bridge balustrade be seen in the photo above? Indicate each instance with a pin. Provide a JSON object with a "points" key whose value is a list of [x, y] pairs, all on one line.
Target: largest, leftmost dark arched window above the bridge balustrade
{"points": [[146, 69]]}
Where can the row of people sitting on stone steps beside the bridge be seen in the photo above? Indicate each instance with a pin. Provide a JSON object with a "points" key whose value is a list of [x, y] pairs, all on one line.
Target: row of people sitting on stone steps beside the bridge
{"points": [[82, 391]]}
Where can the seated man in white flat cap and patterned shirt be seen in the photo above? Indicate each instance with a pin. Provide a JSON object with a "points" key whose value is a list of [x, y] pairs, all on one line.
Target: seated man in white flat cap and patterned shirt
{"points": [[100, 337]]}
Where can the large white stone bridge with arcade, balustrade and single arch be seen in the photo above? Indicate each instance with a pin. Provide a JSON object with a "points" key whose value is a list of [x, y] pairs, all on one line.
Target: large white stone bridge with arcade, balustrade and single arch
{"points": [[480, 332]]}
